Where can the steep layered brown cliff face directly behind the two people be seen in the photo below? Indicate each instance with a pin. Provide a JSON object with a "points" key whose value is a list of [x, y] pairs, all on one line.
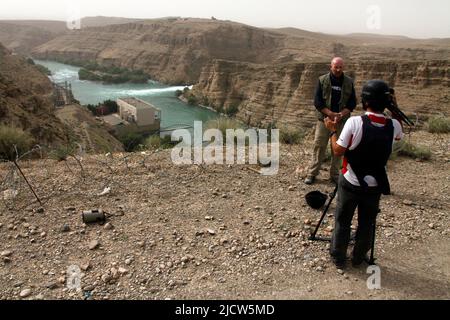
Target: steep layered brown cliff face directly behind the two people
{"points": [[285, 93]]}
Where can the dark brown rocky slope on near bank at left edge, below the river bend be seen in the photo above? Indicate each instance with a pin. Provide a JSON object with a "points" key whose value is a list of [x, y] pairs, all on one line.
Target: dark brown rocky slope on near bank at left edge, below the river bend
{"points": [[26, 102]]}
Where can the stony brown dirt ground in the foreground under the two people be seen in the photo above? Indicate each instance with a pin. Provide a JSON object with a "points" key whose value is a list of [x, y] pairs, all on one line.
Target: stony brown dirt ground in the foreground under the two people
{"points": [[213, 232]]}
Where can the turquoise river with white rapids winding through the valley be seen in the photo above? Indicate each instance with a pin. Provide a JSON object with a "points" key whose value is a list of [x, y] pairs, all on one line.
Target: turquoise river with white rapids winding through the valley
{"points": [[174, 111]]}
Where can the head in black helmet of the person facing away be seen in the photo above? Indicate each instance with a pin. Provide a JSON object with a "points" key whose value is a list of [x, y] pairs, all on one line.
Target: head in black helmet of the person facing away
{"points": [[376, 95]]}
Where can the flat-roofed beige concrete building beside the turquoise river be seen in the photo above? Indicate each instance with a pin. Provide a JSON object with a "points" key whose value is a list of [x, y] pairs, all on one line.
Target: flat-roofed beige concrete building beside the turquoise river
{"points": [[135, 115]]}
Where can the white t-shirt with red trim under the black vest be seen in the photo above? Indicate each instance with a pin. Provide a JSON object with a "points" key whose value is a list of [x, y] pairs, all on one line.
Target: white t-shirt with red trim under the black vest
{"points": [[351, 136]]}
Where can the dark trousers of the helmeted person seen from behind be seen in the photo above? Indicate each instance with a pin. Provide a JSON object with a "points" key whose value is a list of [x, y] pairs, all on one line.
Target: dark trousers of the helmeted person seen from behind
{"points": [[351, 197]]}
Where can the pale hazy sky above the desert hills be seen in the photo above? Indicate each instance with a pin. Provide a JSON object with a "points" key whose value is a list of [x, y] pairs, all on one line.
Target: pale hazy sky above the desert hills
{"points": [[414, 18]]}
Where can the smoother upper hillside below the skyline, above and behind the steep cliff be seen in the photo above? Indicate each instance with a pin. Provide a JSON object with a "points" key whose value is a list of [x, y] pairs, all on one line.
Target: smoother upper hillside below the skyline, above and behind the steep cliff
{"points": [[174, 50]]}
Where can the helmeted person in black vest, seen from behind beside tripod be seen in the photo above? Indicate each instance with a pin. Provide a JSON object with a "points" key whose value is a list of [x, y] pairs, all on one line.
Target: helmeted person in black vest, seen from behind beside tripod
{"points": [[366, 144]]}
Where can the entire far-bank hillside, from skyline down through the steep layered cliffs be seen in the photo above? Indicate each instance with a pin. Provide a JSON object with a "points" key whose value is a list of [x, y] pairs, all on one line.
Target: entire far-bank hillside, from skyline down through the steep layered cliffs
{"points": [[270, 74]]}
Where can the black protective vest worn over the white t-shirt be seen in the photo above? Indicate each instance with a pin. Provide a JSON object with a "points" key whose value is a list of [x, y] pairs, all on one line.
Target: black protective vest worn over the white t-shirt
{"points": [[371, 155]]}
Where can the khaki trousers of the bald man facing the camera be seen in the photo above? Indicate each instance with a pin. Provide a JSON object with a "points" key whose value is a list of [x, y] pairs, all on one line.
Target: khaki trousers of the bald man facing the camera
{"points": [[321, 142]]}
